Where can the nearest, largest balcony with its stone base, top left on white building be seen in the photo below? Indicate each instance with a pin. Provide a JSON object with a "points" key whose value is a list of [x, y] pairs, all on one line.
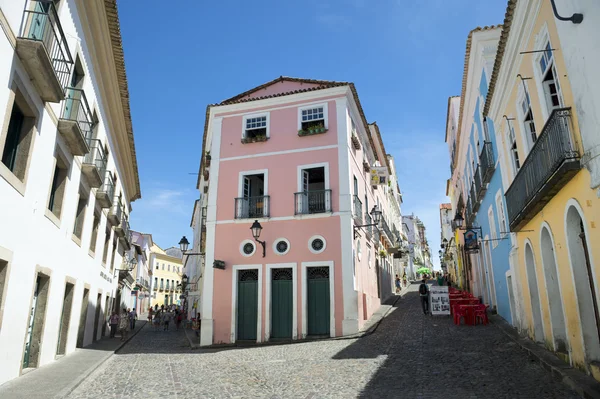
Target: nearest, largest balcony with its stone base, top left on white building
{"points": [[43, 50]]}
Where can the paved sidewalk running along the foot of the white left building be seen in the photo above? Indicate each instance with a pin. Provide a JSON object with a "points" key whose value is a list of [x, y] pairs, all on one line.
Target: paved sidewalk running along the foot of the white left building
{"points": [[58, 379]]}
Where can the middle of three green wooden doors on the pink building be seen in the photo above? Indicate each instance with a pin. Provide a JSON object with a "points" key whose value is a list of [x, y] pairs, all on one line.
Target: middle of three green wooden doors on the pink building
{"points": [[281, 303]]}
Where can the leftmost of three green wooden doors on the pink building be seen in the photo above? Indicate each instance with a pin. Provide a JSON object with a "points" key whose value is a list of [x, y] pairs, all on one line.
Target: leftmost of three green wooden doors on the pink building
{"points": [[247, 305]]}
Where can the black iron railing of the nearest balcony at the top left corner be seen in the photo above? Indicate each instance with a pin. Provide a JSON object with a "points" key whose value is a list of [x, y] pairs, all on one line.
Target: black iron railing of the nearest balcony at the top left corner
{"points": [[41, 23]]}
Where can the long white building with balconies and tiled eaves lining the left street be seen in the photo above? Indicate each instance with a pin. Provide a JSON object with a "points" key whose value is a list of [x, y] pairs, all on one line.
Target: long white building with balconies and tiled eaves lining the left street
{"points": [[68, 173]]}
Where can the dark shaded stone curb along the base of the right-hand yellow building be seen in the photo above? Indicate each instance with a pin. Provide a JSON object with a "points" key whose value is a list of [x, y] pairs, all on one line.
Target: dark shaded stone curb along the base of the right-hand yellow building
{"points": [[584, 385]]}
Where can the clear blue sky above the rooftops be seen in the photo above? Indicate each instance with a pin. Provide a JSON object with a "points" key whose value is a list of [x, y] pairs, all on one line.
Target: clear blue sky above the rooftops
{"points": [[405, 57]]}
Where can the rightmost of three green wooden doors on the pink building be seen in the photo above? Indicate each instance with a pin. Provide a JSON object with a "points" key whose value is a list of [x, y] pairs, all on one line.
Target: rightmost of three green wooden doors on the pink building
{"points": [[318, 301]]}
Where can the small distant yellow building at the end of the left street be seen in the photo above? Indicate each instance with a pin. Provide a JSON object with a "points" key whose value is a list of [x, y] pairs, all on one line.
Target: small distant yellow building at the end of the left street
{"points": [[167, 272]]}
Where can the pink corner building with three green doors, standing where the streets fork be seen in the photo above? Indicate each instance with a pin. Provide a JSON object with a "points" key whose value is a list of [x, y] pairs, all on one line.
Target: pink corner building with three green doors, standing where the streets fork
{"points": [[295, 155]]}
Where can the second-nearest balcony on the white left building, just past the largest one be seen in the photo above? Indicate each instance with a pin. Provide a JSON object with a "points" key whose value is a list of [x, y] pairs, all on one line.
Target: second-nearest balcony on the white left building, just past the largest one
{"points": [[75, 123]]}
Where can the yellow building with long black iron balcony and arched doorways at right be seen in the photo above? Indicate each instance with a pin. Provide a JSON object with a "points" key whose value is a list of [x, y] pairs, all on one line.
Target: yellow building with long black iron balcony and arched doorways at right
{"points": [[552, 208]]}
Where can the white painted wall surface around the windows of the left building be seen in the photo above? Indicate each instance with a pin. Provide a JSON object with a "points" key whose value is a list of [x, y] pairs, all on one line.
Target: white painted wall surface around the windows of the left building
{"points": [[32, 238]]}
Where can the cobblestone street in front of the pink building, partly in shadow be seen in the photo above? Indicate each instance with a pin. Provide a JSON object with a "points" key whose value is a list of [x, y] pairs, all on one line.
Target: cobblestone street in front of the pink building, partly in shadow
{"points": [[409, 356]]}
